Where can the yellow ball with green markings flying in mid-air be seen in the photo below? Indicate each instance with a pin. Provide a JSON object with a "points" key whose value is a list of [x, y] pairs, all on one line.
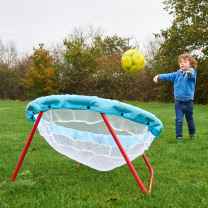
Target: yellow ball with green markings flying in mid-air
{"points": [[133, 61]]}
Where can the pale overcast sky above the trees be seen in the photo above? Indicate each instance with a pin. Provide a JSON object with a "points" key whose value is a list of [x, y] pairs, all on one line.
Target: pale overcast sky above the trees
{"points": [[30, 22]]}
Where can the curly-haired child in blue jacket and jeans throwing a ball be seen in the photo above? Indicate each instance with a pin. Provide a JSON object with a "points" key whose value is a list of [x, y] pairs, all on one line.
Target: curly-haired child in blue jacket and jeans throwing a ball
{"points": [[184, 88]]}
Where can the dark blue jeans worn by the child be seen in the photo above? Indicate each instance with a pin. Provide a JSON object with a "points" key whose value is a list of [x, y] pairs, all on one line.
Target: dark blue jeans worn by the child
{"points": [[181, 108]]}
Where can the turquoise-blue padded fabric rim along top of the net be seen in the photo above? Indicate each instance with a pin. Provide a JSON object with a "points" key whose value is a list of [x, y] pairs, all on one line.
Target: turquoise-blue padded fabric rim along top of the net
{"points": [[93, 103]]}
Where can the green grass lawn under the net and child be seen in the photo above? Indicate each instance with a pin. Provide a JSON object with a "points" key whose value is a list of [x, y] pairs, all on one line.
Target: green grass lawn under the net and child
{"points": [[49, 179]]}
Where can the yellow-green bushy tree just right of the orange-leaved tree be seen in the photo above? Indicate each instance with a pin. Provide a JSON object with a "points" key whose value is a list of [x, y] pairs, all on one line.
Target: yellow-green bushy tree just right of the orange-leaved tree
{"points": [[81, 66]]}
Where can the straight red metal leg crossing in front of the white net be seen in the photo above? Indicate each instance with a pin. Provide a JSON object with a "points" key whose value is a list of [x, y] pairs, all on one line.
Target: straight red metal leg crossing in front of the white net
{"points": [[124, 153]]}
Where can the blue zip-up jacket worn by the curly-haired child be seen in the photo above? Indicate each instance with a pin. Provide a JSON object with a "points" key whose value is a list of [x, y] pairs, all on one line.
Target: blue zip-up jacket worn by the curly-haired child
{"points": [[184, 87]]}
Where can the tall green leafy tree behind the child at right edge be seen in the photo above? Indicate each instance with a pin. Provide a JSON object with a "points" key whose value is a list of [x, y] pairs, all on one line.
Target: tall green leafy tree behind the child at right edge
{"points": [[188, 34]]}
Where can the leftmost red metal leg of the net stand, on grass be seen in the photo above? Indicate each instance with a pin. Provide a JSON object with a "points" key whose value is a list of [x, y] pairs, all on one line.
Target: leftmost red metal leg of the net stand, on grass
{"points": [[26, 146]]}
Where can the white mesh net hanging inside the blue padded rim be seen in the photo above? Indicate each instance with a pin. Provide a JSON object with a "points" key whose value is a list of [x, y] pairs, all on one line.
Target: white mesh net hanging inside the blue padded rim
{"points": [[83, 136]]}
